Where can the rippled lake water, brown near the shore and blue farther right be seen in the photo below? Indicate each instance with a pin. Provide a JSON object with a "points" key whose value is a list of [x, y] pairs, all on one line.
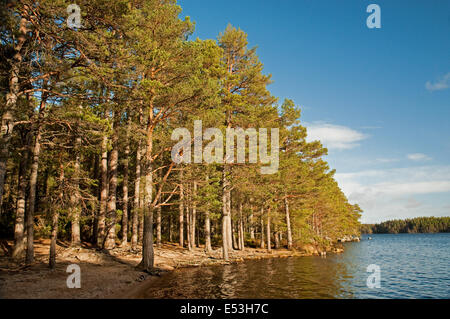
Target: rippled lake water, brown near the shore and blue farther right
{"points": [[411, 266]]}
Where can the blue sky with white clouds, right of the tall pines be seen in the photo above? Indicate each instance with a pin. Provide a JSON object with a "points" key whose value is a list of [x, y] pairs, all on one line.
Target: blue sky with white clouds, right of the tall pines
{"points": [[379, 99]]}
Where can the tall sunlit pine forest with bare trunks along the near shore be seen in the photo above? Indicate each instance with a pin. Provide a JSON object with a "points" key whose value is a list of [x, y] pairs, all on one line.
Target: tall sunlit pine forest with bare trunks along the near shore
{"points": [[87, 116]]}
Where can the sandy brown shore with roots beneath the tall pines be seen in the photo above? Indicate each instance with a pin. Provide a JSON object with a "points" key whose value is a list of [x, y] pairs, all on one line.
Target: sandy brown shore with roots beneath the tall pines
{"points": [[109, 274]]}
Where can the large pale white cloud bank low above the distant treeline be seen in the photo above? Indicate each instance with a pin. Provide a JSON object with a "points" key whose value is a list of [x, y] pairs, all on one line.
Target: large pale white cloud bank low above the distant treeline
{"points": [[392, 193]]}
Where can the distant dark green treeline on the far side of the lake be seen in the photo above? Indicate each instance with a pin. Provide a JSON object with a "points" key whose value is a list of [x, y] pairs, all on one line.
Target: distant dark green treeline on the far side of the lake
{"points": [[415, 225]]}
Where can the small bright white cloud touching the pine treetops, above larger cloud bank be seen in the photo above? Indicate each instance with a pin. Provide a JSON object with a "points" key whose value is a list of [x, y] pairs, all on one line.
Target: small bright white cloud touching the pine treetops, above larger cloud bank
{"points": [[334, 136]]}
